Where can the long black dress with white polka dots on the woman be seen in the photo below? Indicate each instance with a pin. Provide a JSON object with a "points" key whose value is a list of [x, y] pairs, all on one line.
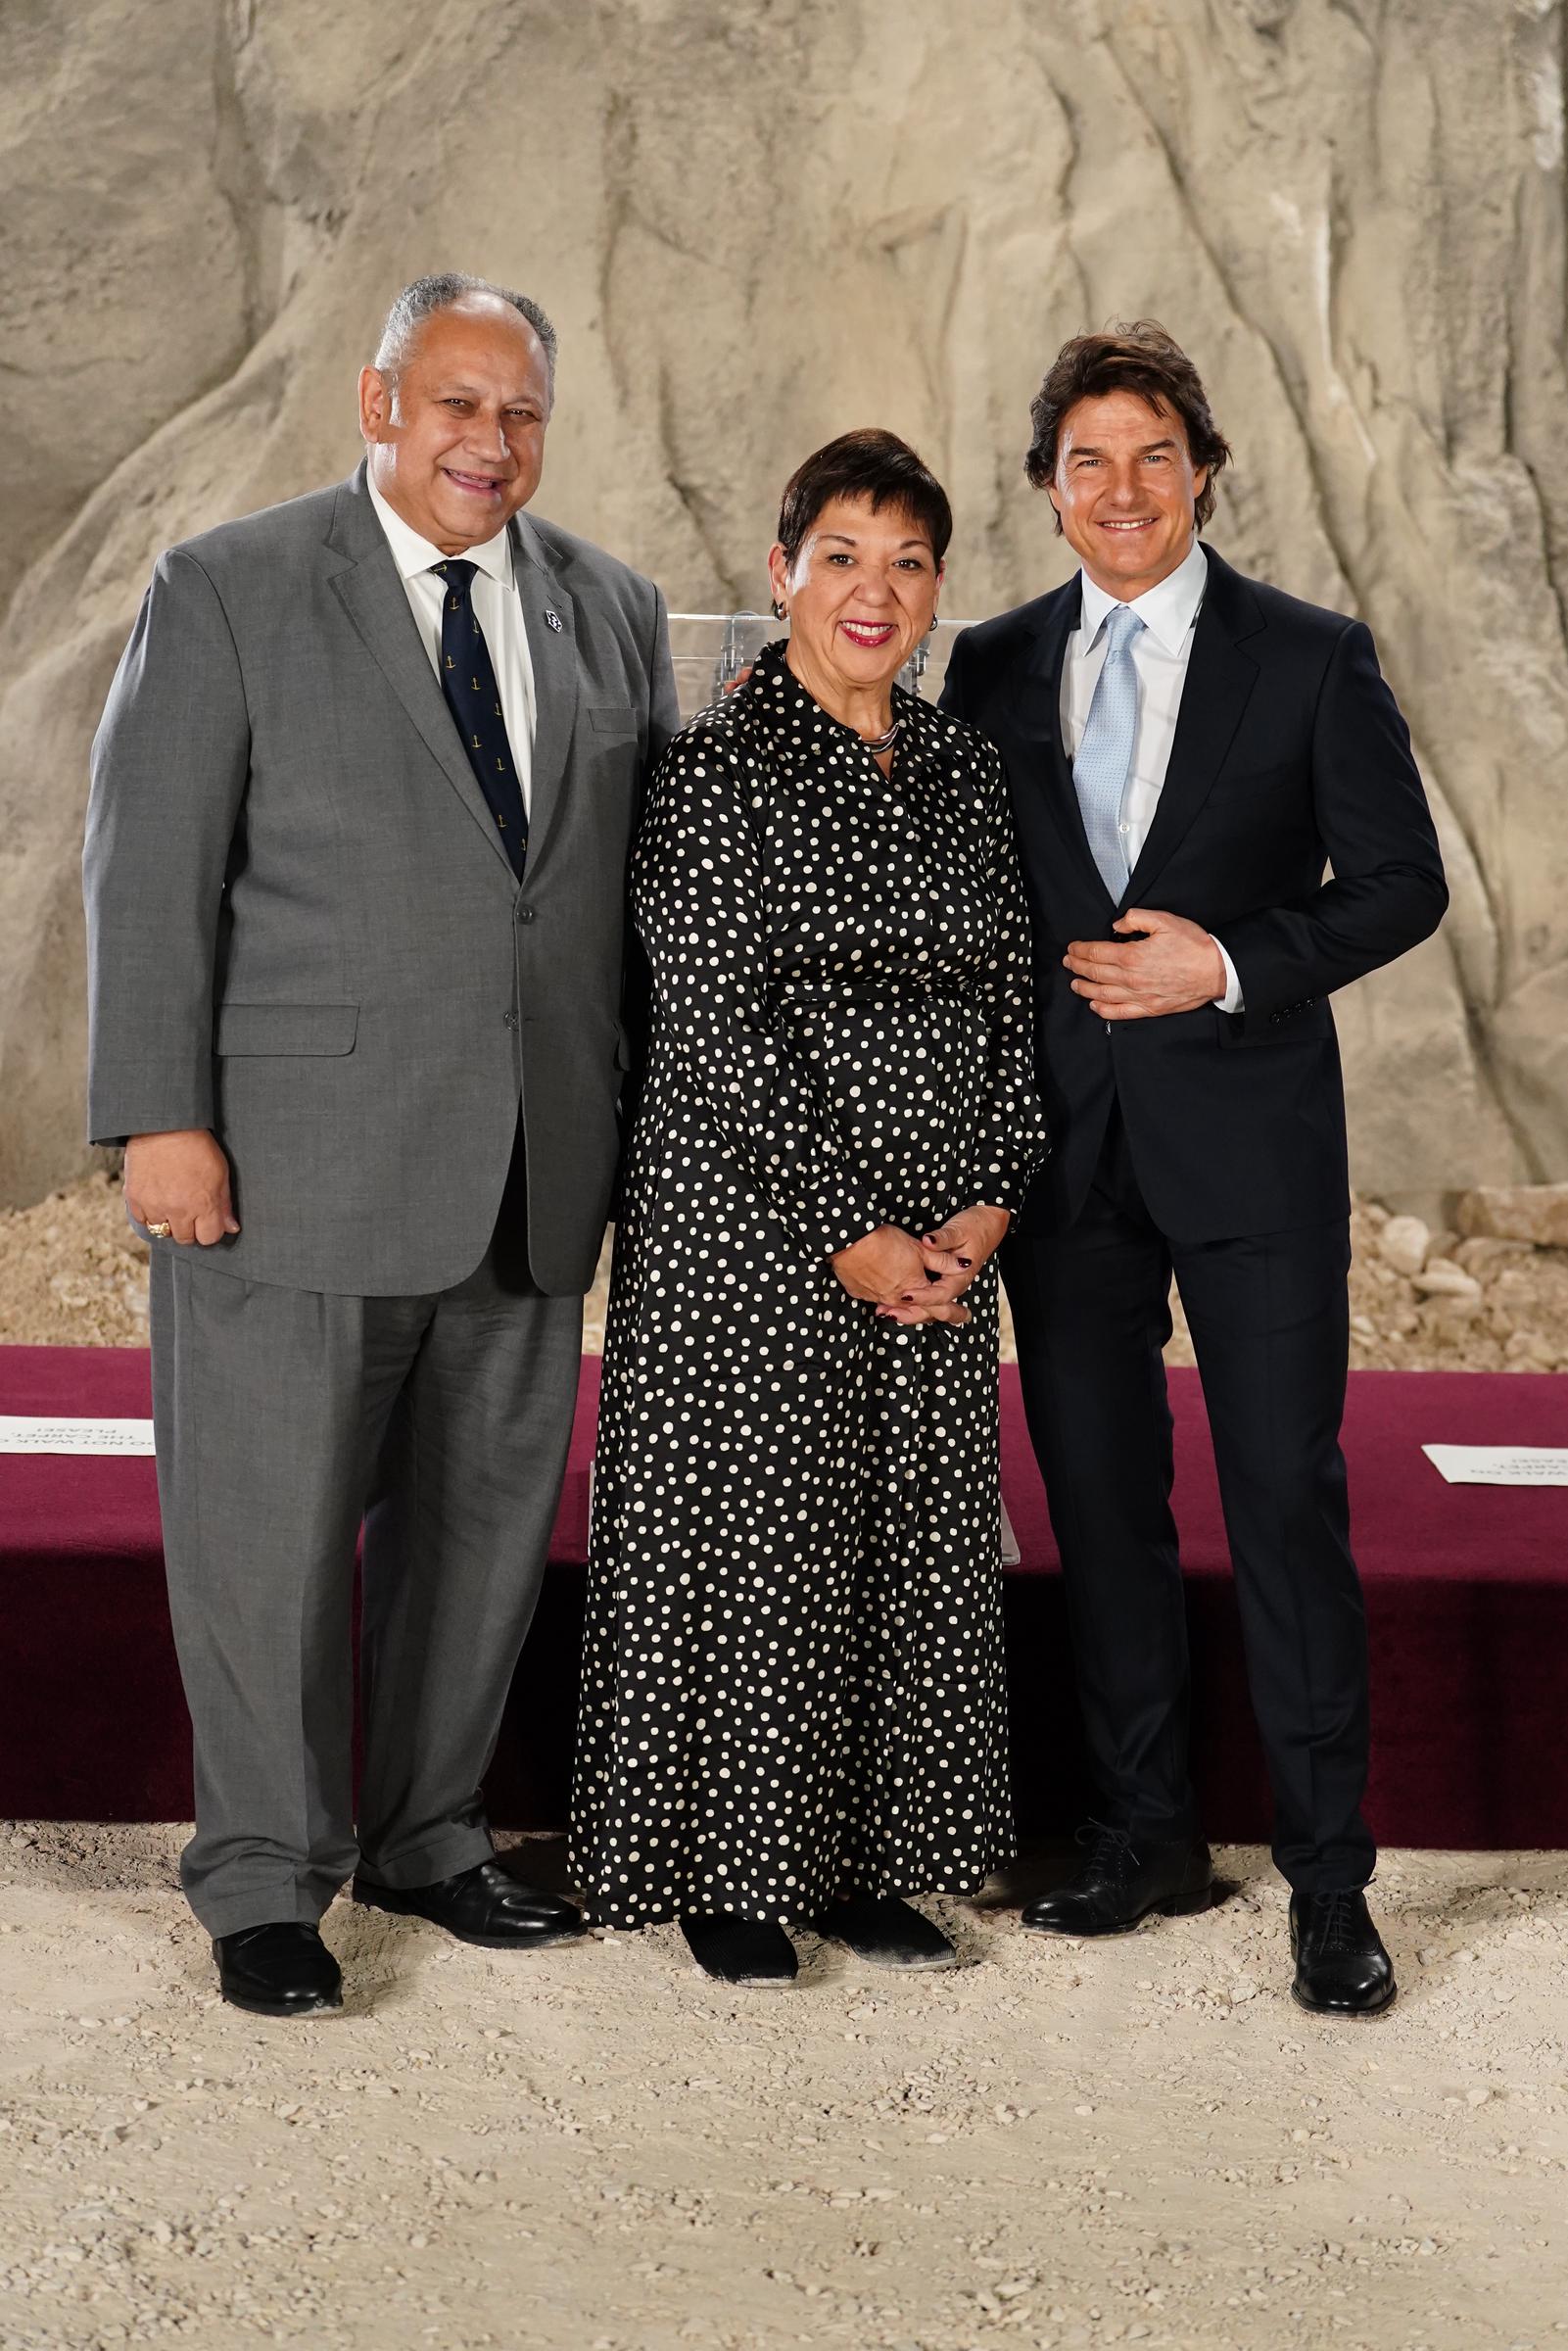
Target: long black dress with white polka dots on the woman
{"points": [[793, 1661]]}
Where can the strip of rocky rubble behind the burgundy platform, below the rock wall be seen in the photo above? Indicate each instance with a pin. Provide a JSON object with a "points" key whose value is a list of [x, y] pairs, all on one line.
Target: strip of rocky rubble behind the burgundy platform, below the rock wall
{"points": [[74, 1275]]}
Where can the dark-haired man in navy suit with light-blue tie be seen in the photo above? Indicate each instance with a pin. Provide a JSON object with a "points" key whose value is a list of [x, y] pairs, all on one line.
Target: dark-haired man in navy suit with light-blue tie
{"points": [[1188, 753]]}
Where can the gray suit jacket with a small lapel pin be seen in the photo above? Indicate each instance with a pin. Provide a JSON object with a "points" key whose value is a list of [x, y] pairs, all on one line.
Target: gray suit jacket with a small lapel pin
{"points": [[304, 930]]}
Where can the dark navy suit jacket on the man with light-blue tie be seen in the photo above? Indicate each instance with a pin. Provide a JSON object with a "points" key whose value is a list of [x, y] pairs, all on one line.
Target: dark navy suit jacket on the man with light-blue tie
{"points": [[1289, 758]]}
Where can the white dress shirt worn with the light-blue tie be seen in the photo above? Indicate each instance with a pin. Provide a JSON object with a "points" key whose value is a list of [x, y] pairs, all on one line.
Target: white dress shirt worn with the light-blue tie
{"points": [[1160, 659]]}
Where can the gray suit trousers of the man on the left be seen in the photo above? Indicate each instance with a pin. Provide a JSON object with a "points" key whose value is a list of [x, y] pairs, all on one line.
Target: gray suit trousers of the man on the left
{"points": [[286, 1419]]}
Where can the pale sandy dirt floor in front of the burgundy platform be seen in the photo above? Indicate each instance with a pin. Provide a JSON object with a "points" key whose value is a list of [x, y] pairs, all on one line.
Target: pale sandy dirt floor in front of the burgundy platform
{"points": [[594, 2150]]}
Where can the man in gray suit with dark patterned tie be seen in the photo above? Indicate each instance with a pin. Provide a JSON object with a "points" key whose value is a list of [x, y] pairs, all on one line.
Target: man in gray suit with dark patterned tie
{"points": [[356, 888]]}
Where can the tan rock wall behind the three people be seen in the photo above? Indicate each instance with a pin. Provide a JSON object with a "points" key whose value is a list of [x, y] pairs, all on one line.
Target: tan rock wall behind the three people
{"points": [[760, 222]]}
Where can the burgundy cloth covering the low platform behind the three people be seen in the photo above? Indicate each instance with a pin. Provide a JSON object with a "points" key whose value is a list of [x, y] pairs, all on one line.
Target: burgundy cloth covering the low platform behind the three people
{"points": [[1466, 1588]]}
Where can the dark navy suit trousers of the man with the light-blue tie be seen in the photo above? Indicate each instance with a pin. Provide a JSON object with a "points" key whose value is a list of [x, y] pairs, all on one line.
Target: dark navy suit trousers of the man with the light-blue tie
{"points": [[1268, 1322]]}
